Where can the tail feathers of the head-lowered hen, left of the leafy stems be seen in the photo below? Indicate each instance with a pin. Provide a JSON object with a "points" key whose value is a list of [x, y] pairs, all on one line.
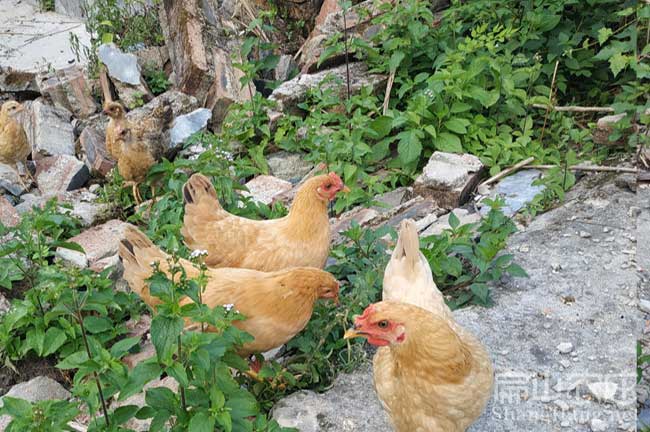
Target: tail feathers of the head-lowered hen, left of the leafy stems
{"points": [[138, 253]]}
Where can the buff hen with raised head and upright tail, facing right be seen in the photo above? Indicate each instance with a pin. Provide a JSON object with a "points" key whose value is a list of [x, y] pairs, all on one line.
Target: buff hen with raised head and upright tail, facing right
{"points": [[302, 238]]}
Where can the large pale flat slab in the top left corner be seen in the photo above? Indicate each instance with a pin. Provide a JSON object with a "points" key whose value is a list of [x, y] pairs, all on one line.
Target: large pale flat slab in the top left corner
{"points": [[35, 41]]}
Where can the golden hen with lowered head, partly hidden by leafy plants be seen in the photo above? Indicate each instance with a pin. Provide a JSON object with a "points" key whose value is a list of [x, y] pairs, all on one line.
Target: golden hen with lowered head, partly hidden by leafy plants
{"points": [[276, 305]]}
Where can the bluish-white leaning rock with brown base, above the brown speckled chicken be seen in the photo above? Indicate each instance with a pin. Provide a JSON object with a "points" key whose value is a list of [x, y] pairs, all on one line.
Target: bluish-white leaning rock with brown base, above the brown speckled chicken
{"points": [[124, 72]]}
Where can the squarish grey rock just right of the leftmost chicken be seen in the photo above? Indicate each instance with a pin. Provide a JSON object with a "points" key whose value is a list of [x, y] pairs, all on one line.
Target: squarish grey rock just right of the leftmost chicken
{"points": [[49, 130]]}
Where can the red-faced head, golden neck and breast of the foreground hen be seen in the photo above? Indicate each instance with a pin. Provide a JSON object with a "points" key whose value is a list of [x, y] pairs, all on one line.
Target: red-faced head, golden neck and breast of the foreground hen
{"points": [[429, 377]]}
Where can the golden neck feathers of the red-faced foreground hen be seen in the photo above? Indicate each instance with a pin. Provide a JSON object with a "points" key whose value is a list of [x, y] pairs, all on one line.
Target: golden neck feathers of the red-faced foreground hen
{"points": [[433, 348]]}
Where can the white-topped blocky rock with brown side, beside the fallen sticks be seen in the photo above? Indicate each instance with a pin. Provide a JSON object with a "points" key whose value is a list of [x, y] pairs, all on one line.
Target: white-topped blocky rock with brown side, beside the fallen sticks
{"points": [[449, 178]]}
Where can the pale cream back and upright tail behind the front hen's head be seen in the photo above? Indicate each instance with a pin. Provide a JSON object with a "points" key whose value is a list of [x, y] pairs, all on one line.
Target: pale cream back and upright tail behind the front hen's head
{"points": [[408, 277]]}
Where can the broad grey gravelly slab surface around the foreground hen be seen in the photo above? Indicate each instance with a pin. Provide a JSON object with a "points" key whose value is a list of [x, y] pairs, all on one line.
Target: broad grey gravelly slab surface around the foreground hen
{"points": [[580, 290]]}
